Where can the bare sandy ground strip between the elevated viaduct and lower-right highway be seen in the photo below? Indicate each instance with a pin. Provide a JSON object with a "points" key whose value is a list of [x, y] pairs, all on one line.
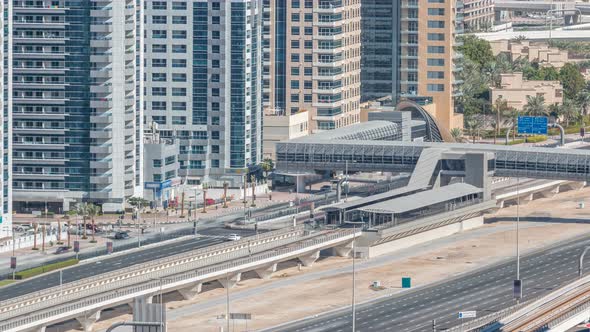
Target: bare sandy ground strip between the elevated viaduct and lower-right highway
{"points": [[293, 294]]}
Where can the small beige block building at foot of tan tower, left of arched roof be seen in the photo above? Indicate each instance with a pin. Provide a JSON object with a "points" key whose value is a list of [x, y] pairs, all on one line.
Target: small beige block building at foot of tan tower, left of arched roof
{"points": [[279, 126]]}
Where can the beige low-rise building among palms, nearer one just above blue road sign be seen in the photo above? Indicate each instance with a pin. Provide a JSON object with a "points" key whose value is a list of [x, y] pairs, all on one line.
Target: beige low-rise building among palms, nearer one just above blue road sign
{"points": [[515, 90]]}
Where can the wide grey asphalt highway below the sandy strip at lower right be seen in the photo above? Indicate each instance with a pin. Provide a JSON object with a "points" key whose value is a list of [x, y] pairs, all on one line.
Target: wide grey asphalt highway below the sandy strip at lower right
{"points": [[486, 290]]}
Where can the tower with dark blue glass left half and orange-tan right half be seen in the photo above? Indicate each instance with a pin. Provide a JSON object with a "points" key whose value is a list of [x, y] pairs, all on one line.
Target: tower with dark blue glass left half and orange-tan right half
{"points": [[410, 51]]}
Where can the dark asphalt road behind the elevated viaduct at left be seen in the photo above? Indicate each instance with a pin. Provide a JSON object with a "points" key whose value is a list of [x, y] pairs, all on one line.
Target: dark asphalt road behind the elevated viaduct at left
{"points": [[107, 264]]}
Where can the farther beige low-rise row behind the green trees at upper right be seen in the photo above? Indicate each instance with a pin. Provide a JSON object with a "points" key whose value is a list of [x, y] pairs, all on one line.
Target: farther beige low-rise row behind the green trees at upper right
{"points": [[533, 51]]}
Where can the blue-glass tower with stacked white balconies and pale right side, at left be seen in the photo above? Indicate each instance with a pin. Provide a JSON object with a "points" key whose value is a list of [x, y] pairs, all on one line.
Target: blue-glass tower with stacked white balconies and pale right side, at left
{"points": [[73, 103]]}
